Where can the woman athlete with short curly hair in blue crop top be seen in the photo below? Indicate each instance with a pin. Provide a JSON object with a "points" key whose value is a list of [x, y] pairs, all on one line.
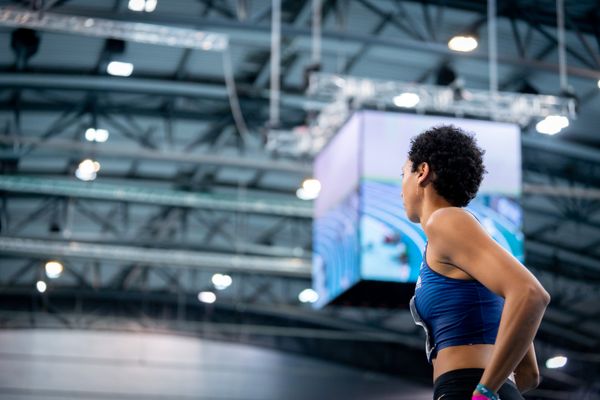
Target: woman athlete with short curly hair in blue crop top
{"points": [[480, 307]]}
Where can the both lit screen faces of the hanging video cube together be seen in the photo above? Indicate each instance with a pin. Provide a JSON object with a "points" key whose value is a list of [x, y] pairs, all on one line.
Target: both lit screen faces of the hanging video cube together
{"points": [[361, 231]]}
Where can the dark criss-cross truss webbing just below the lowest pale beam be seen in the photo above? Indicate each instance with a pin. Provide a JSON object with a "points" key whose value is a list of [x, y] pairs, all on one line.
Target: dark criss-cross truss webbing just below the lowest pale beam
{"points": [[158, 282]]}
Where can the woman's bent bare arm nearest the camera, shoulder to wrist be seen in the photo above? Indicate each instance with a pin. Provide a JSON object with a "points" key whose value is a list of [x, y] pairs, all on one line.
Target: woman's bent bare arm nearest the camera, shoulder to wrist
{"points": [[461, 241]]}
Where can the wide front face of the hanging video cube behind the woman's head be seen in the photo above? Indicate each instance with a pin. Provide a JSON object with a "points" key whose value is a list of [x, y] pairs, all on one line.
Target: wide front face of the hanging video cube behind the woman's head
{"points": [[391, 245]]}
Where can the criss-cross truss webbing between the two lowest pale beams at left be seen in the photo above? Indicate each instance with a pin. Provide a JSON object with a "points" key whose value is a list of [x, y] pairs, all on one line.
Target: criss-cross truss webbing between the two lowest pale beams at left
{"points": [[171, 227]]}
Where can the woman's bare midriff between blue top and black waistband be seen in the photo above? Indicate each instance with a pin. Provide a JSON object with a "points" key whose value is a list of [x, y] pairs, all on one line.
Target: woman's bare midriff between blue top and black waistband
{"points": [[460, 357]]}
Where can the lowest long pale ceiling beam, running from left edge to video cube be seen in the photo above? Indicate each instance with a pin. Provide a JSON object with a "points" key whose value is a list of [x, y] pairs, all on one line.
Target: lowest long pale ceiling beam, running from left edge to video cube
{"points": [[174, 258]]}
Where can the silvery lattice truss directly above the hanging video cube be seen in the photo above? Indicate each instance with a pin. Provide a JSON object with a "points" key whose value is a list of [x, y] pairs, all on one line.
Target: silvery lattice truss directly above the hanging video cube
{"points": [[348, 94]]}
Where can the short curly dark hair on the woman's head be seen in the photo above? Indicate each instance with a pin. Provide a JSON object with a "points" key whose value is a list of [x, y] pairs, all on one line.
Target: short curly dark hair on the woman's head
{"points": [[455, 160]]}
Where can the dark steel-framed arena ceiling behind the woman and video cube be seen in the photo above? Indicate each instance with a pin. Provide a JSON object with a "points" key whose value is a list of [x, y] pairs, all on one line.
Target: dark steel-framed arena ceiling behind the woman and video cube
{"points": [[182, 194]]}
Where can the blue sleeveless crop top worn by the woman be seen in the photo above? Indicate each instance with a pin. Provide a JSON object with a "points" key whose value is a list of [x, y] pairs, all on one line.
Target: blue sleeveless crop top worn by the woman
{"points": [[454, 311]]}
